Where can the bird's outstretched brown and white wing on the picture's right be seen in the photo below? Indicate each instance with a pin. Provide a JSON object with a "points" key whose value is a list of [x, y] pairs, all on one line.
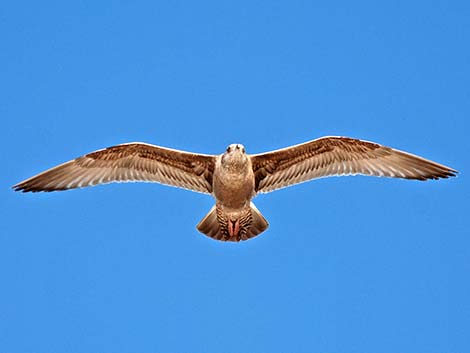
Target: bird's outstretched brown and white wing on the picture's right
{"points": [[330, 156]]}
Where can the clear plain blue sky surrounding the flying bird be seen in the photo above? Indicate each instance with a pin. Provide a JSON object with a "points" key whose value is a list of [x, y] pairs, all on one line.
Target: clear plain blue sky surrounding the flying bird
{"points": [[352, 264]]}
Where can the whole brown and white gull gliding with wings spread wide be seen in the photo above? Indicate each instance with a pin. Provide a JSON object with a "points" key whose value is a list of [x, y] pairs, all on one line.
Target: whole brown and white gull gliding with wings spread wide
{"points": [[233, 178]]}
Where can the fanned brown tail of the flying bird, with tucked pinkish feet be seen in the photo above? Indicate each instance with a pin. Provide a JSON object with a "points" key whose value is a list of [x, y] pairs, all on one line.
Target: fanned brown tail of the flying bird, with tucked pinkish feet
{"points": [[237, 226]]}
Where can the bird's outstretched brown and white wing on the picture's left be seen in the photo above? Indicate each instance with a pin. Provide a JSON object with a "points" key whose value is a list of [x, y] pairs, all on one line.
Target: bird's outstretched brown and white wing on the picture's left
{"points": [[127, 162]]}
